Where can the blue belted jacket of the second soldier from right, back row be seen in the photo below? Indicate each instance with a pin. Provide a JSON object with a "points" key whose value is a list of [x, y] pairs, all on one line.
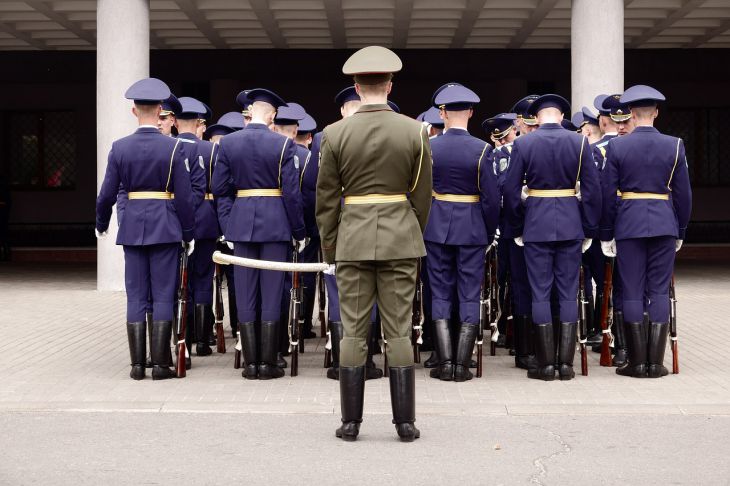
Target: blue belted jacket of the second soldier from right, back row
{"points": [[552, 158]]}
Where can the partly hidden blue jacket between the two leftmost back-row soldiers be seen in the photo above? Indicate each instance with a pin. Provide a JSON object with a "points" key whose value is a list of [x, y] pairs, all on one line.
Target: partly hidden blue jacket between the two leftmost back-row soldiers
{"points": [[202, 155]]}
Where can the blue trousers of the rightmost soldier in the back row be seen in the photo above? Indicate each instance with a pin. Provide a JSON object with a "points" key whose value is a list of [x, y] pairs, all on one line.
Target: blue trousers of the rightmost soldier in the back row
{"points": [[646, 266]]}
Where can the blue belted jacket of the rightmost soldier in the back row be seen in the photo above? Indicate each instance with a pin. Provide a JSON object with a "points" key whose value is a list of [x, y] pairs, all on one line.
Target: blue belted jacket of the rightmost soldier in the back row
{"points": [[646, 161]]}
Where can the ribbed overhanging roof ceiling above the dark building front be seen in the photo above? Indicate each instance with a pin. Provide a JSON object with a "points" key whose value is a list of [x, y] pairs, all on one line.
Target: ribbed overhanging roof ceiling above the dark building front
{"points": [[253, 24]]}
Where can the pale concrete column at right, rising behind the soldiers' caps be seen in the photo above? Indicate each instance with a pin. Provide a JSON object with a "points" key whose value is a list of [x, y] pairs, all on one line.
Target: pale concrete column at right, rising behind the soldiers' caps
{"points": [[597, 50]]}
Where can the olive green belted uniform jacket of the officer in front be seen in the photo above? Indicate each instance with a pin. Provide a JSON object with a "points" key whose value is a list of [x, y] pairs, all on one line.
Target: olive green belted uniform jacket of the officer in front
{"points": [[374, 152]]}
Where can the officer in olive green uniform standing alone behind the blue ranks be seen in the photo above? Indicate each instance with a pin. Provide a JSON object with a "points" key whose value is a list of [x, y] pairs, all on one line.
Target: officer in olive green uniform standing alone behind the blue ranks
{"points": [[380, 162]]}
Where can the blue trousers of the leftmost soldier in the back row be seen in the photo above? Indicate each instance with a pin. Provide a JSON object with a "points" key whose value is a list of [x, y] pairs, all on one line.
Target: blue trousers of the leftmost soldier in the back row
{"points": [[151, 270]]}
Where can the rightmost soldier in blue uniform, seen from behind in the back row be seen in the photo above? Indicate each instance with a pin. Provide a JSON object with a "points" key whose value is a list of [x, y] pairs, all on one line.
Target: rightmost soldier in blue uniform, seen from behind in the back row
{"points": [[647, 226]]}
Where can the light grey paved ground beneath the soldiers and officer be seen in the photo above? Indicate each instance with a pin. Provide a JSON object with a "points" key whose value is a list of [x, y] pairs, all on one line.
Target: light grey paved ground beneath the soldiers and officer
{"points": [[67, 404]]}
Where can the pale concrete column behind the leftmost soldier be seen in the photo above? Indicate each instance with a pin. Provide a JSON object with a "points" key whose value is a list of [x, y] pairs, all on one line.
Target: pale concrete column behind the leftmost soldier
{"points": [[122, 57]]}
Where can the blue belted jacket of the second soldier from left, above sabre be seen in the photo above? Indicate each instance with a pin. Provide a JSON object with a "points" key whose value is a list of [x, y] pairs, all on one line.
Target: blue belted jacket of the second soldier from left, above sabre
{"points": [[257, 158]]}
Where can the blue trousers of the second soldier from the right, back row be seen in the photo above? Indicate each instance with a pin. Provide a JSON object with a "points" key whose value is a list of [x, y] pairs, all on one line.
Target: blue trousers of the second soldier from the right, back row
{"points": [[553, 264]]}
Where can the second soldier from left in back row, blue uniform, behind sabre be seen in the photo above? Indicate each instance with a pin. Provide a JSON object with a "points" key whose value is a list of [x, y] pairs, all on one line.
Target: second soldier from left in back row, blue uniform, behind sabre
{"points": [[256, 168]]}
